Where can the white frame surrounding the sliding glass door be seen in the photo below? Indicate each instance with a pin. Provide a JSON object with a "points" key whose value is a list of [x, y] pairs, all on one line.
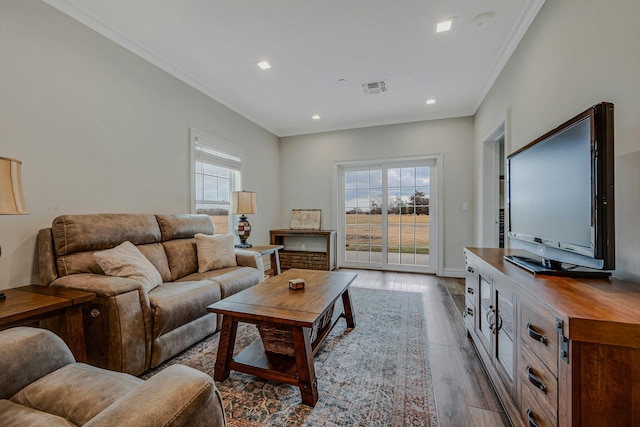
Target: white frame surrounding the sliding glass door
{"points": [[436, 263]]}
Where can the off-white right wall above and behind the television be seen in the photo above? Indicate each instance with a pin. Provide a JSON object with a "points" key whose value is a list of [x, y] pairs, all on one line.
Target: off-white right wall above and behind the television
{"points": [[577, 54]]}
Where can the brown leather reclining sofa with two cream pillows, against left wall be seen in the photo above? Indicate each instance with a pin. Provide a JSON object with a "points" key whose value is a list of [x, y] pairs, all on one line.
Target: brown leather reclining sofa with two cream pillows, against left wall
{"points": [[128, 329]]}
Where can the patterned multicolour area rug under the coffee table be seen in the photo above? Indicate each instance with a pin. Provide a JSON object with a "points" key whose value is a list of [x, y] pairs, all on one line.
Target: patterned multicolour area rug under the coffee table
{"points": [[377, 374]]}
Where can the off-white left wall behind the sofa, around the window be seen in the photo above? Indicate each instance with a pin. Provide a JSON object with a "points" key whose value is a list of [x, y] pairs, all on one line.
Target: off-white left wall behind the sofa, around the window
{"points": [[100, 130]]}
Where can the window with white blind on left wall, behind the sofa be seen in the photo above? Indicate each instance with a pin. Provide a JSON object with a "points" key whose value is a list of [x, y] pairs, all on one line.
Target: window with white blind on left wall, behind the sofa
{"points": [[216, 172]]}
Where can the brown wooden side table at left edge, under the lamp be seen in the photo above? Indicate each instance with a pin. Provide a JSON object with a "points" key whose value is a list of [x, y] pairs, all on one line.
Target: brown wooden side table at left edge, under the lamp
{"points": [[27, 305]]}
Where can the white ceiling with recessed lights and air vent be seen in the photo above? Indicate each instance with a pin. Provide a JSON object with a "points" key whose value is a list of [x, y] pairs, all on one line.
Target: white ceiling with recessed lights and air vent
{"points": [[214, 46]]}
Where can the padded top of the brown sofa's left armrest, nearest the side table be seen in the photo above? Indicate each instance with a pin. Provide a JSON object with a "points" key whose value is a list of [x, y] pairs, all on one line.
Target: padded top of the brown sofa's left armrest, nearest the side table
{"points": [[101, 285]]}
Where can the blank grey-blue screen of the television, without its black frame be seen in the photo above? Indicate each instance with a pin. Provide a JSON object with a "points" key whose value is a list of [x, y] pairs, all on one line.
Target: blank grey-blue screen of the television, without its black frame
{"points": [[536, 174]]}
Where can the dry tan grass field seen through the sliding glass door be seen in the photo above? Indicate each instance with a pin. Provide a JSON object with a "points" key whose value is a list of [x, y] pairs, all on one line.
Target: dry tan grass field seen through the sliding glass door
{"points": [[406, 233]]}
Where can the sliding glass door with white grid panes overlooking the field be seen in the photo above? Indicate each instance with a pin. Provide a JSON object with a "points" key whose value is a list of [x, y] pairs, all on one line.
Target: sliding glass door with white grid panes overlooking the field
{"points": [[385, 215]]}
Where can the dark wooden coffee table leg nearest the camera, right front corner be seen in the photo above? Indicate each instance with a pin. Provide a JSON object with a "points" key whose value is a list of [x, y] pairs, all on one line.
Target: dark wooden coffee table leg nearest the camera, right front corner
{"points": [[304, 363]]}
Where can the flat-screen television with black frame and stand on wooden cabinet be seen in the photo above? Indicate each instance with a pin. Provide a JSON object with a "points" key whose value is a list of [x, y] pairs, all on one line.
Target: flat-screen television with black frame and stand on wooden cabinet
{"points": [[560, 197]]}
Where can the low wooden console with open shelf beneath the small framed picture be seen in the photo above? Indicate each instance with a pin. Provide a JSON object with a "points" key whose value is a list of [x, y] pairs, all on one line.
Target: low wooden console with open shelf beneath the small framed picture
{"points": [[308, 249]]}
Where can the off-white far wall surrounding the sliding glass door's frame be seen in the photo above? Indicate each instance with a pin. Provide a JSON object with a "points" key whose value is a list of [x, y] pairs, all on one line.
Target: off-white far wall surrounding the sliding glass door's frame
{"points": [[308, 168]]}
